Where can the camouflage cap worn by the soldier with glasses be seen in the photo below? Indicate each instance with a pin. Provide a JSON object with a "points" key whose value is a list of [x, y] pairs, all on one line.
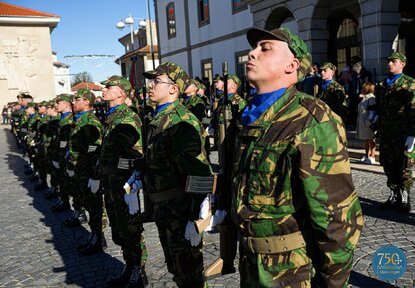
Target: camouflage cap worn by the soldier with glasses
{"points": [[173, 71]]}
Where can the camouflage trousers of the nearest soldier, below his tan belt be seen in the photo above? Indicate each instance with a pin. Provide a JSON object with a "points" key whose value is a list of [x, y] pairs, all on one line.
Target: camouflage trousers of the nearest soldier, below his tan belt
{"points": [[289, 269]]}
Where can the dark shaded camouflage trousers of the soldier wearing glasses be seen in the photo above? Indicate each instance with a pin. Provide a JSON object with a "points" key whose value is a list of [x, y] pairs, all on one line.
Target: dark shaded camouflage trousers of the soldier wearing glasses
{"points": [[184, 261]]}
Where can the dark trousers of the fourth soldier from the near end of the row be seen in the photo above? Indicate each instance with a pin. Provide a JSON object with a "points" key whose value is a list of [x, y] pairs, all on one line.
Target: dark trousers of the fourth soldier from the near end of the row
{"points": [[92, 202]]}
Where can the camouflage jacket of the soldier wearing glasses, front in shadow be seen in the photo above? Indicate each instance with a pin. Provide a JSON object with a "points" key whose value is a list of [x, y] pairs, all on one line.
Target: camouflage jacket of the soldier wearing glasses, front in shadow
{"points": [[175, 150]]}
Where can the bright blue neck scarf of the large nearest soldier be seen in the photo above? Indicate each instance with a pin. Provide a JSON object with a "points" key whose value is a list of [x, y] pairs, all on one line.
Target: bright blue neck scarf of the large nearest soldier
{"points": [[259, 104]]}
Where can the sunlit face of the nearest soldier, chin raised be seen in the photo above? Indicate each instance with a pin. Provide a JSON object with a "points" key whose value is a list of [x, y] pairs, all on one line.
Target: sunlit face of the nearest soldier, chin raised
{"points": [[270, 61]]}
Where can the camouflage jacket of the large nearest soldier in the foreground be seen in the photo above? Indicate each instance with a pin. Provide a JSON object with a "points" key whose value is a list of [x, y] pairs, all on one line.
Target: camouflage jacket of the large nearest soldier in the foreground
{"points": [[292, 173]]}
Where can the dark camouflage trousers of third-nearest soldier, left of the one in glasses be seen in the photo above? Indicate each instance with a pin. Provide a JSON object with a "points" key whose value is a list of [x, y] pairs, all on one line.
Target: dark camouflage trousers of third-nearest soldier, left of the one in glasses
{"points": [[126, 229]]}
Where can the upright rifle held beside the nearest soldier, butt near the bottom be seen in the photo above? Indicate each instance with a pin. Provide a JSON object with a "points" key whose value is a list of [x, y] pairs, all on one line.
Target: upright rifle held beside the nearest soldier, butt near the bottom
{"points": [[228, 233]]}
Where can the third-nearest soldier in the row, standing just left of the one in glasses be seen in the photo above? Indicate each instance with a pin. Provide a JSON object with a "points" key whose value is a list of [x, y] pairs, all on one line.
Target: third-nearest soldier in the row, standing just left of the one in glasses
{"points": [[121, 144]]}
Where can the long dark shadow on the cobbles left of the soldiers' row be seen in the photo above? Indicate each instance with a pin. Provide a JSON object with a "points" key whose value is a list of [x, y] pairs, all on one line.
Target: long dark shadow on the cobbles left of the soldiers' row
{"points": [[83, 271]]}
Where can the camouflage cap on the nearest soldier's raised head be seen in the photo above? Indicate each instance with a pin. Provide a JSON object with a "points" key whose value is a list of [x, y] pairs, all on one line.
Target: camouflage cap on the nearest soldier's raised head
{"points": [[295, 43]]}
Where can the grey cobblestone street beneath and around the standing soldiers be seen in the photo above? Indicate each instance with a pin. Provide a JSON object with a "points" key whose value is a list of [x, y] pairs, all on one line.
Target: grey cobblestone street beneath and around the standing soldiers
{"points": [[37, 250]]}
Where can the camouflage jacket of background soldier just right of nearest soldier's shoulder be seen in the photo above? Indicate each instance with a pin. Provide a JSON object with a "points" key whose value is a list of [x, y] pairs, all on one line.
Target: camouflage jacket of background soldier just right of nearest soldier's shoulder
{"points": [[334, 96]]}
